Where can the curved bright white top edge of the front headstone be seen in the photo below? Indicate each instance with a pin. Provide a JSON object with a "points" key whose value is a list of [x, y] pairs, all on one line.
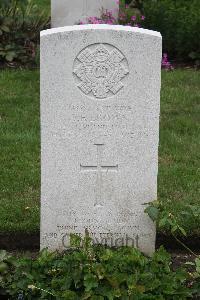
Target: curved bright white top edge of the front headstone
{"points": [[100, 27]]}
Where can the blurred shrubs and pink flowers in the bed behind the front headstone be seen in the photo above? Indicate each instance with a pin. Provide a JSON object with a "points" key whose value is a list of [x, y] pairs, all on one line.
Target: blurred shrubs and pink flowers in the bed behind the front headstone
{"points": [[177, 20]]}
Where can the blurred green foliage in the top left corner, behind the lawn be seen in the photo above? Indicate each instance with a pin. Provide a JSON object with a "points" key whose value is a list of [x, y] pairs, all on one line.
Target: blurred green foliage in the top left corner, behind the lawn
{"points": [[20, 24]]}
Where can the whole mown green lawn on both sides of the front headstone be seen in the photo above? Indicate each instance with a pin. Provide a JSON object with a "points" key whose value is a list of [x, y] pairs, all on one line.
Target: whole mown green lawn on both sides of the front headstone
{"points": [[179, 161]]}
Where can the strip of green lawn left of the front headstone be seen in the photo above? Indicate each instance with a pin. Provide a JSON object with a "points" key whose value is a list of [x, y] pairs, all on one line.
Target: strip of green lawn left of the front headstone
{"points": [[19, 148]]}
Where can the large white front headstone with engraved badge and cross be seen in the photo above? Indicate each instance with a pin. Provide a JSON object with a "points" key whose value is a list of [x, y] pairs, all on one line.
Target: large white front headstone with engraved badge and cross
{"points": [[100, 99]]}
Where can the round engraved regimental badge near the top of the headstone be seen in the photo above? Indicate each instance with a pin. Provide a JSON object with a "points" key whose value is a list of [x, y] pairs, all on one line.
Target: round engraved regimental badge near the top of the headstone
{"points": [[99, 70]]}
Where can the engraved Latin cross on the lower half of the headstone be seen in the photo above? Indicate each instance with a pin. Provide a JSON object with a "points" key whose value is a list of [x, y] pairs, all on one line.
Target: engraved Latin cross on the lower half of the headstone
{"points": [[99, 168]]}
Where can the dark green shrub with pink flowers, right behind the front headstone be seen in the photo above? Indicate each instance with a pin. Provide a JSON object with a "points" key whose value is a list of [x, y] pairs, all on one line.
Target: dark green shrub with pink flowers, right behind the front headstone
{"points": [[179, 23]]}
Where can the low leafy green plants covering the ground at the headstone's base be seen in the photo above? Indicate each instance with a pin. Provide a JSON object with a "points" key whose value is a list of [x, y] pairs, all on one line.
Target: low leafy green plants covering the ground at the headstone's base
{"points": [[95, 272]]}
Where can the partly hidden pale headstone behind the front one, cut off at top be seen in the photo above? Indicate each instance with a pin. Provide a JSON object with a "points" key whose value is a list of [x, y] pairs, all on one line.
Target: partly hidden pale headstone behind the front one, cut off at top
{"points": [[70, 12]]}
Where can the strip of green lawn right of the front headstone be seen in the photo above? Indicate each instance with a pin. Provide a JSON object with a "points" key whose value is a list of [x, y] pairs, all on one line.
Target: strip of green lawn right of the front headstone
{"points": [[179, 152]]}
